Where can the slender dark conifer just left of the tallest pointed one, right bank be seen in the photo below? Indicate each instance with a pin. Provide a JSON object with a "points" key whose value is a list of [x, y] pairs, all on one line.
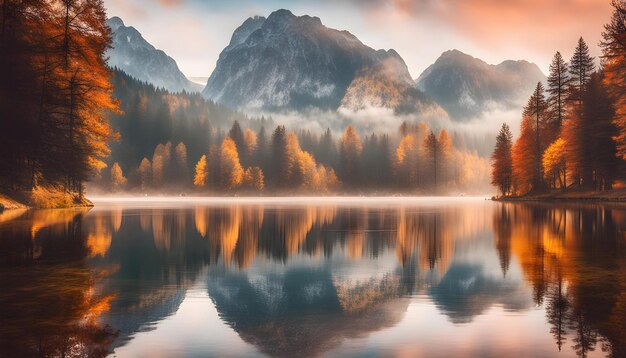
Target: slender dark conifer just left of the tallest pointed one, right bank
{"points": [[558, 81]]}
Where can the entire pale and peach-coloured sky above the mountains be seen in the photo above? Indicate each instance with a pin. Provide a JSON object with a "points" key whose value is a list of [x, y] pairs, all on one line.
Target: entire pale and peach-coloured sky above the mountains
{"points": [[194, 32]]}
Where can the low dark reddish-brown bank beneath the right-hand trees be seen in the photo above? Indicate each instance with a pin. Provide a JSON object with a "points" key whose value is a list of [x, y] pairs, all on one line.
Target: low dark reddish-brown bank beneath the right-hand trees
{"points": [[615, 195]]}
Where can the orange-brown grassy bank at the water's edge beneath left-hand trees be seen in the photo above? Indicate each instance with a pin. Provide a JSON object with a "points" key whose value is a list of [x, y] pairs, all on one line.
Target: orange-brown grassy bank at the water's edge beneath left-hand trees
{"points": [[41, 198]]}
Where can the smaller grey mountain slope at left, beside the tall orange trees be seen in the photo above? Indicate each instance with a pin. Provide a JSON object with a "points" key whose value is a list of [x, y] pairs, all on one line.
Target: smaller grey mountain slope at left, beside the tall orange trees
{"points": [[134, 55]]}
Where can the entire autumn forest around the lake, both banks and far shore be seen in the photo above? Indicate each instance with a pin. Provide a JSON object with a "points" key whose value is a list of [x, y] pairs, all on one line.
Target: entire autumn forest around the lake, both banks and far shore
{"points": [[68, 118]]}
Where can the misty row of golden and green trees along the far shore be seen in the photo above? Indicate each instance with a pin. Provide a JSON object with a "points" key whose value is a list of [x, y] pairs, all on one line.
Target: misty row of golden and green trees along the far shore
{"points": [[416, 160]]}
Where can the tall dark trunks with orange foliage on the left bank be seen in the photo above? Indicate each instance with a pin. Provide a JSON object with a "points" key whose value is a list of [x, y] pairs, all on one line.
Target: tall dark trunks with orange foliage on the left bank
{"points": [[55, 93]]}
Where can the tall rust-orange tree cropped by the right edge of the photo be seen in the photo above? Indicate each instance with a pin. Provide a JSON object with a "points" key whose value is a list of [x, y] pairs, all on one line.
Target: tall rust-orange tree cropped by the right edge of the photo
{"points": [[614, 56]]}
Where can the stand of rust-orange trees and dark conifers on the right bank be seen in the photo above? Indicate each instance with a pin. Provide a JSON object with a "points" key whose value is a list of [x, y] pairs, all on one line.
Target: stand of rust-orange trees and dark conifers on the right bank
{"points": [[573, 131]]}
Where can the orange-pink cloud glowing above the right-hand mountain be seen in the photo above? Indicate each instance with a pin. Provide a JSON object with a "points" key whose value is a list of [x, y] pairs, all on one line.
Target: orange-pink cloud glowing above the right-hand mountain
{"points": [[537, 24]]}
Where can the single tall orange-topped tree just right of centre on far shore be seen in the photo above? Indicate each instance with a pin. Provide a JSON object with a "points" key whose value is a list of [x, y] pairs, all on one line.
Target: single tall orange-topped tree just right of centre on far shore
{"points": [[350, 148]]}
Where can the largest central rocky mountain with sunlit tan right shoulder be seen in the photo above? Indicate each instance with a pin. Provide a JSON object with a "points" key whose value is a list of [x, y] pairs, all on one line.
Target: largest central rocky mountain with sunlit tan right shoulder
{"points": [[288, 62]]}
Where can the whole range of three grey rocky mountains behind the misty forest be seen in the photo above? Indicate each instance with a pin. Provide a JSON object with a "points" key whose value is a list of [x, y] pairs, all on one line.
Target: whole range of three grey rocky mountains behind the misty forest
{"points": [[292, 63]]}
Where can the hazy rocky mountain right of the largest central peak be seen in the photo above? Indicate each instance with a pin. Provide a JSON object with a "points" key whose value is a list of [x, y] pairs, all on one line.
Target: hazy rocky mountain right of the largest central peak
{"points": [[467, 87]]}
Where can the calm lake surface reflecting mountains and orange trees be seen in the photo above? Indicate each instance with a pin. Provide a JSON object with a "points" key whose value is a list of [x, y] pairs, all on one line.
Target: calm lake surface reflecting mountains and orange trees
{"points": [[424, 277]]}
